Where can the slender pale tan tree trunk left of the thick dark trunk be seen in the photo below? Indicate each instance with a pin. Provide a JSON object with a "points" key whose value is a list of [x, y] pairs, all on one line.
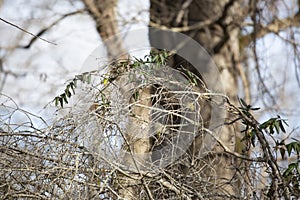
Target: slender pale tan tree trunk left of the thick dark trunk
{"points": [[137, 141]]}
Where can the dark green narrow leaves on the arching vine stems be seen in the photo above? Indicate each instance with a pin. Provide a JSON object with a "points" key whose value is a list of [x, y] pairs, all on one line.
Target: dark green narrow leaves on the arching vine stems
{"points": [[252, 131]]}
